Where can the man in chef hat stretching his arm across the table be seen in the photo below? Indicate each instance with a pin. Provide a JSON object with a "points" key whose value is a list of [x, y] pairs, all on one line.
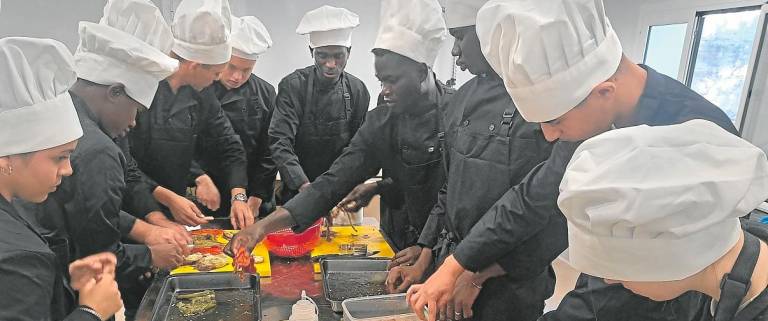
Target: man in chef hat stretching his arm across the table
{"points": [[402, 138]]}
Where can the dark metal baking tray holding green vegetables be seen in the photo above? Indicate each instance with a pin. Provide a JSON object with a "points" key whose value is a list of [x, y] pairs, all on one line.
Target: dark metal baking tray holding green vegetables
{"points": [[236, 299]]}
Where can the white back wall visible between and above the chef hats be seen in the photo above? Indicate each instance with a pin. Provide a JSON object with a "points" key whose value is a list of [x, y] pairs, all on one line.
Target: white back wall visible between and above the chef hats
{"points": [[58, 19]]}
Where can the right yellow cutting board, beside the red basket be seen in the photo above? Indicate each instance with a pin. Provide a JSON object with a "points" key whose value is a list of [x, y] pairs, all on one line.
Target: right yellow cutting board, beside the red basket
{"points": [[346, 235]]}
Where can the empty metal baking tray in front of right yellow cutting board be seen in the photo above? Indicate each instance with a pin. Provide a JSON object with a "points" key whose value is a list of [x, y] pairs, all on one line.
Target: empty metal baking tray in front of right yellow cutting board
{"points": [[346, 278]]}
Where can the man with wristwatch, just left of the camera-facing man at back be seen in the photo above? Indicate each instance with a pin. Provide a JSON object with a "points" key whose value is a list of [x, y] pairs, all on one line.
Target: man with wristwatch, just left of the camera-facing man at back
{"points": [[248, 102]]}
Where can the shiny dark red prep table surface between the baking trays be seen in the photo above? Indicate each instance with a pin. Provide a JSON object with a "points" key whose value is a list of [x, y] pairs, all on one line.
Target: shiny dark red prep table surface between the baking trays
{"points": [[278, 292]]}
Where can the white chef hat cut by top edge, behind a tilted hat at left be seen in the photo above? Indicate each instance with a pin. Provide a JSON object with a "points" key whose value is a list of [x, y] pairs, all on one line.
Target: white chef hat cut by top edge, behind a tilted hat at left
{"points": [[141, 19]]}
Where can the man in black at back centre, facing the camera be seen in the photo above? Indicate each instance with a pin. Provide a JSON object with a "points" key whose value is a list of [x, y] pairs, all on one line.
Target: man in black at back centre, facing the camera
{"points": [[318, 108]]}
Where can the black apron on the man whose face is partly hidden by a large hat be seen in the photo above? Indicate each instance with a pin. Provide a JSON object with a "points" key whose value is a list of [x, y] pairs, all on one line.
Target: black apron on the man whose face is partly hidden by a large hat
{"points": [[501, 298]]}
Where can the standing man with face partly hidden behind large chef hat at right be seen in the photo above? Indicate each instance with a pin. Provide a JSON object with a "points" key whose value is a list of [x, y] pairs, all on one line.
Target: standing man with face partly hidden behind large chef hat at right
{"points": [[489, 148]]}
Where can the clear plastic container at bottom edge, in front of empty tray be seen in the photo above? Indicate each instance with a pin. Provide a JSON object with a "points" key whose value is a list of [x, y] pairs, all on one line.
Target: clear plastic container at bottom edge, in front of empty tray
{"points": [[391, 307]]}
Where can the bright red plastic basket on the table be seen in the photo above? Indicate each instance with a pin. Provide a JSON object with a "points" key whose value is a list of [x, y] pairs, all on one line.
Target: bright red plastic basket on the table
{"points": [[286, 243]]}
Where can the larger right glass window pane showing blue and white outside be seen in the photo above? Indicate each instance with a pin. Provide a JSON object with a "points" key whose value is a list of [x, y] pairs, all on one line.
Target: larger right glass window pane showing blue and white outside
{"points": [[722, 59]]}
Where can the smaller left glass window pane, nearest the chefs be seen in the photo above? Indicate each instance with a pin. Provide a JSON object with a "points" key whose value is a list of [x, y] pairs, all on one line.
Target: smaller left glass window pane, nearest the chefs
{"points": [[665, 48]]}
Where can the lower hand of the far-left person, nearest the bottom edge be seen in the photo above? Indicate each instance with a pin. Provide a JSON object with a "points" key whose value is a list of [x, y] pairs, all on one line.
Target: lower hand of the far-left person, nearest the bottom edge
{"points": [[102, 296]]}
